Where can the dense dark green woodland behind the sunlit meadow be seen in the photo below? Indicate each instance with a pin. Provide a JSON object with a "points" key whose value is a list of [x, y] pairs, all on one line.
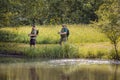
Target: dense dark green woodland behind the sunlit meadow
{"points": [[24, 12]]}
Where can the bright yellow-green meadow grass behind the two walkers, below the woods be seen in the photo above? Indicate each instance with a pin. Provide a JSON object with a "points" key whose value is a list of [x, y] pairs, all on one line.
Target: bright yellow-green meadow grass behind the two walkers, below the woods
{"points": [[48, 34]]}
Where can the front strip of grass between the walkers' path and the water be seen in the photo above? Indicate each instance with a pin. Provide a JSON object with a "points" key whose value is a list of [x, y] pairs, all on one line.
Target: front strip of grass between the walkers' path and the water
{"points": [[91, 50]]}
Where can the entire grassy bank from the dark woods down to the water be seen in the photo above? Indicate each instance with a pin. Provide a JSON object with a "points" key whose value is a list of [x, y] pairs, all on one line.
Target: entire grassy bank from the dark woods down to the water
{"points": [[84, 42]]}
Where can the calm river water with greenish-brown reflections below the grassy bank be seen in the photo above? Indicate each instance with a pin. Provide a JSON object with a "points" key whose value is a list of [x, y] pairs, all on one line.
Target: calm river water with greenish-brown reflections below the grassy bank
{"points": [[61, 69]]}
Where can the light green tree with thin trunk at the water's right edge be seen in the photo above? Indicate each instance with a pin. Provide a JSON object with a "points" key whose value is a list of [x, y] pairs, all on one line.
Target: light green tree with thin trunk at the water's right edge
{"points": [[109, 22]]}
